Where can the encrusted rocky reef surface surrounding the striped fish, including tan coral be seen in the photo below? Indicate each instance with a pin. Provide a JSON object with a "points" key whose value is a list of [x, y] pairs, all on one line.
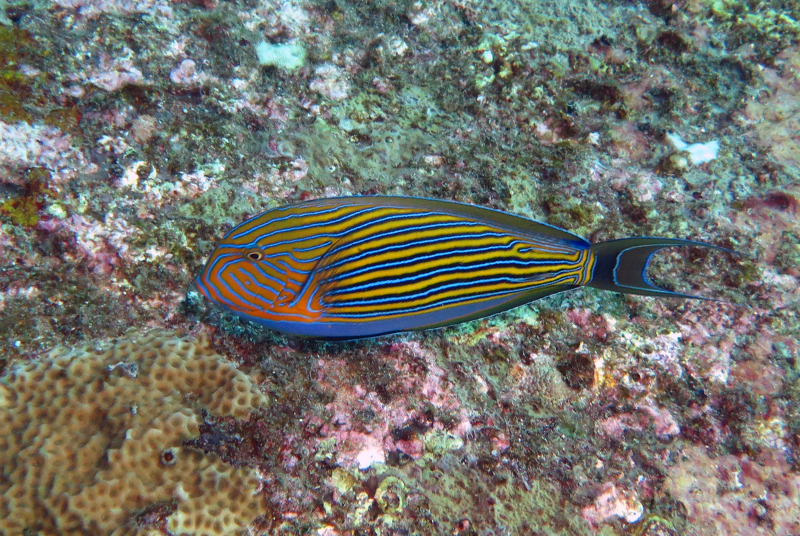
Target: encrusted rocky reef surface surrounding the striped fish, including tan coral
{"points": [[134, 134]]}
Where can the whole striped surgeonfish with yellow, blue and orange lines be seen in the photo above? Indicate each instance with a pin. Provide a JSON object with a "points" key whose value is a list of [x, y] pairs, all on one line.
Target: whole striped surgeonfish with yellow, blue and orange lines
{"points": [[362, 266]]}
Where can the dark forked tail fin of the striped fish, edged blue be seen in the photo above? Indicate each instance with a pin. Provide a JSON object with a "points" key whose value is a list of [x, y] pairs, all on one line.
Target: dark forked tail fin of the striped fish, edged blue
{"points": [[621, 265]]}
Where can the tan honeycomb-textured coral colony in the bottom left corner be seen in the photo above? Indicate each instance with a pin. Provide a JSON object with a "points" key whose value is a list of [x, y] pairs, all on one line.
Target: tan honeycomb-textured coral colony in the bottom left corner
{"points": [[92, 441]]}
